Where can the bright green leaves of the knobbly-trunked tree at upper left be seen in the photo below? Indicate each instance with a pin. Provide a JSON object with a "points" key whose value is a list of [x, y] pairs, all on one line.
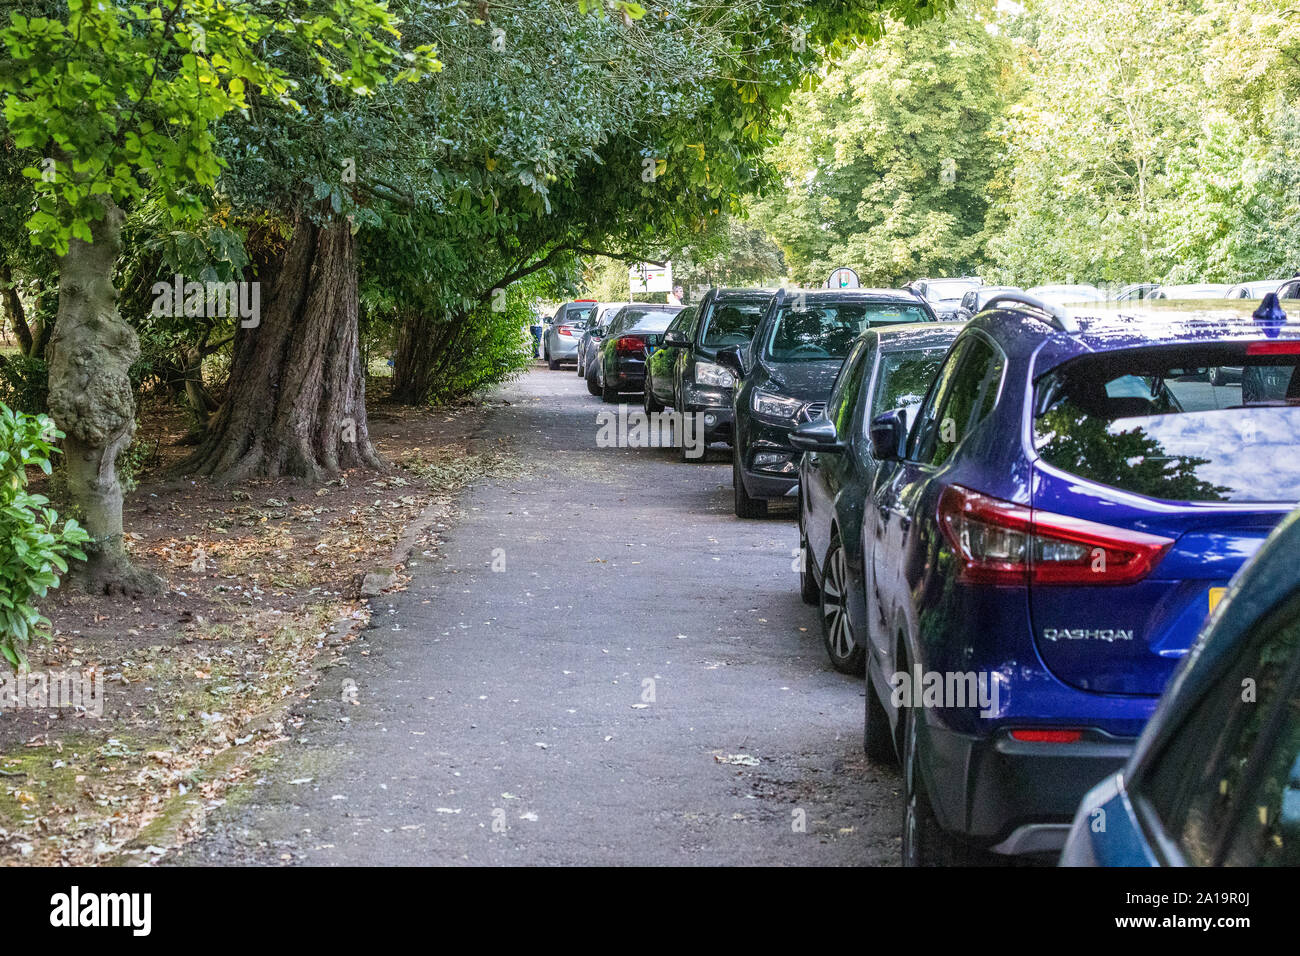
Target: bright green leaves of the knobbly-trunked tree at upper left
{"points": [[119, 98]]}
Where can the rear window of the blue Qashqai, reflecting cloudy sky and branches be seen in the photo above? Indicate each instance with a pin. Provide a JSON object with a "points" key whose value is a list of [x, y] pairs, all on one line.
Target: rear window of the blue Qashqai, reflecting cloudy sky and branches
{"points": [[1188, 423]]}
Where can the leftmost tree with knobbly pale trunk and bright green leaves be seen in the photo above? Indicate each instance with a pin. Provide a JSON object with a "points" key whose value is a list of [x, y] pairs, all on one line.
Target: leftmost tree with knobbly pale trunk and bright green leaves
{"points": [[118, 101]]}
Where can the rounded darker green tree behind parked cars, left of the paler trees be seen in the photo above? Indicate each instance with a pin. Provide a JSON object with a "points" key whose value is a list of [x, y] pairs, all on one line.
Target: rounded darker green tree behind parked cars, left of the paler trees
{"points": [[887, 163]]}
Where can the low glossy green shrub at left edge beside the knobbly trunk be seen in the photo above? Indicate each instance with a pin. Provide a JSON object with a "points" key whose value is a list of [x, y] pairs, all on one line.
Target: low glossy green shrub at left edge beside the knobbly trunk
{"points": [[34, 551]]}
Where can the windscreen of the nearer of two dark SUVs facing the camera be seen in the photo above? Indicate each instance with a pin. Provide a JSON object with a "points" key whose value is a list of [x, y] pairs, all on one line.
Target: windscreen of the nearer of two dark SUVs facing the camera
{"points": [[809, 332]]}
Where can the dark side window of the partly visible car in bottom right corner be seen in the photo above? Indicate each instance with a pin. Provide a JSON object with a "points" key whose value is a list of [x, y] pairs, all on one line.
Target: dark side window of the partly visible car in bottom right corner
{"points": [[1241, 802]]}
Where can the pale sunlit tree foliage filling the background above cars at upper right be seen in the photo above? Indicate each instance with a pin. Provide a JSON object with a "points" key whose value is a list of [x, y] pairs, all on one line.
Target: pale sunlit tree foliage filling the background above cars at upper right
{"points": [[1093, 141]]}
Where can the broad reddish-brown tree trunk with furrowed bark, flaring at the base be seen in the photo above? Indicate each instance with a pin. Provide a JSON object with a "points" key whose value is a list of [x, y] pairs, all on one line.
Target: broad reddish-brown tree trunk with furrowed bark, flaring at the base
{"points": [[296, 403]]}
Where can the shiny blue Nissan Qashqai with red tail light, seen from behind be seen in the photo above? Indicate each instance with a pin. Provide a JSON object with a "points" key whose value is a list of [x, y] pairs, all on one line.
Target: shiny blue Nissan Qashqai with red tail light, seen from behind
{"points": [[1050, 537]]}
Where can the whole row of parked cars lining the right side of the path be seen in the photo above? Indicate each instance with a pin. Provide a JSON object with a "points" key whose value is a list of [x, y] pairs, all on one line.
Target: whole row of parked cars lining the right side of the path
{"points": [[1015, 527]]}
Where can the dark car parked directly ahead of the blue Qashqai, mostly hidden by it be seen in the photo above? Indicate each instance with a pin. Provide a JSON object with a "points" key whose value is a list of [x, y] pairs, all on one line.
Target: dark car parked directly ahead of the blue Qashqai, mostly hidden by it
{"points": [[889, 369]]}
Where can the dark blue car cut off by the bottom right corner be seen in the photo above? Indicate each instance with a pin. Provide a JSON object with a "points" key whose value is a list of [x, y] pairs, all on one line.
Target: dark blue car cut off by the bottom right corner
{"points": [[1216, 776]]}
